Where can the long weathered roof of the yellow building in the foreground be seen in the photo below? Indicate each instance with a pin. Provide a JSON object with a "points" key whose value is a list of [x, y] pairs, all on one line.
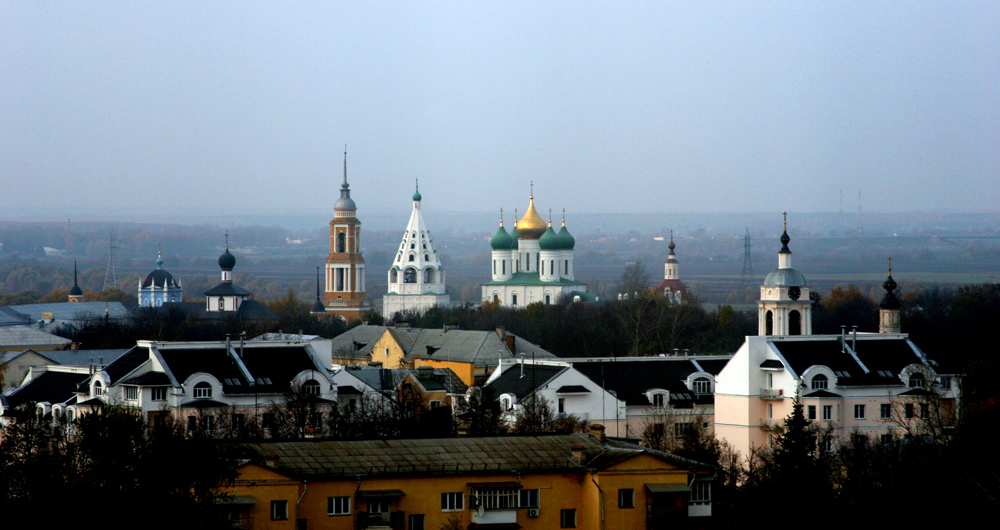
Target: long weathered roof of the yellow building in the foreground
{"points": [[440, 457]]}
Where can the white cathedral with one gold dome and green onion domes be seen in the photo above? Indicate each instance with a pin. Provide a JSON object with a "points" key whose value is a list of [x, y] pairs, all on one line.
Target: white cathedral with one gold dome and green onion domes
{"points": [[533, 263]]}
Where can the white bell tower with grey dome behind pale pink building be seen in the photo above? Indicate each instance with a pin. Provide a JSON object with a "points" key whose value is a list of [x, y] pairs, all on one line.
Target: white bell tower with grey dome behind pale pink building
{"points": [[784, 307]]}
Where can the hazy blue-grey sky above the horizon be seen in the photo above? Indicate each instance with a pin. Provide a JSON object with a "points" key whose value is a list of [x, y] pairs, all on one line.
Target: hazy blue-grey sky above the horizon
{"points": [[121, 108]]}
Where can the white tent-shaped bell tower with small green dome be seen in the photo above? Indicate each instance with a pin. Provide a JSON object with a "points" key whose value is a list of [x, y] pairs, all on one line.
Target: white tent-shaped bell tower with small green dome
{"points": [[416, 278]]}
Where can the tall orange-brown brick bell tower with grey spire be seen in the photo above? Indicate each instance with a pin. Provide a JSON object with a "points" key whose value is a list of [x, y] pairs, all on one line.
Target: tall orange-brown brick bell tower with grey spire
{"points": [[345, 265]]}
